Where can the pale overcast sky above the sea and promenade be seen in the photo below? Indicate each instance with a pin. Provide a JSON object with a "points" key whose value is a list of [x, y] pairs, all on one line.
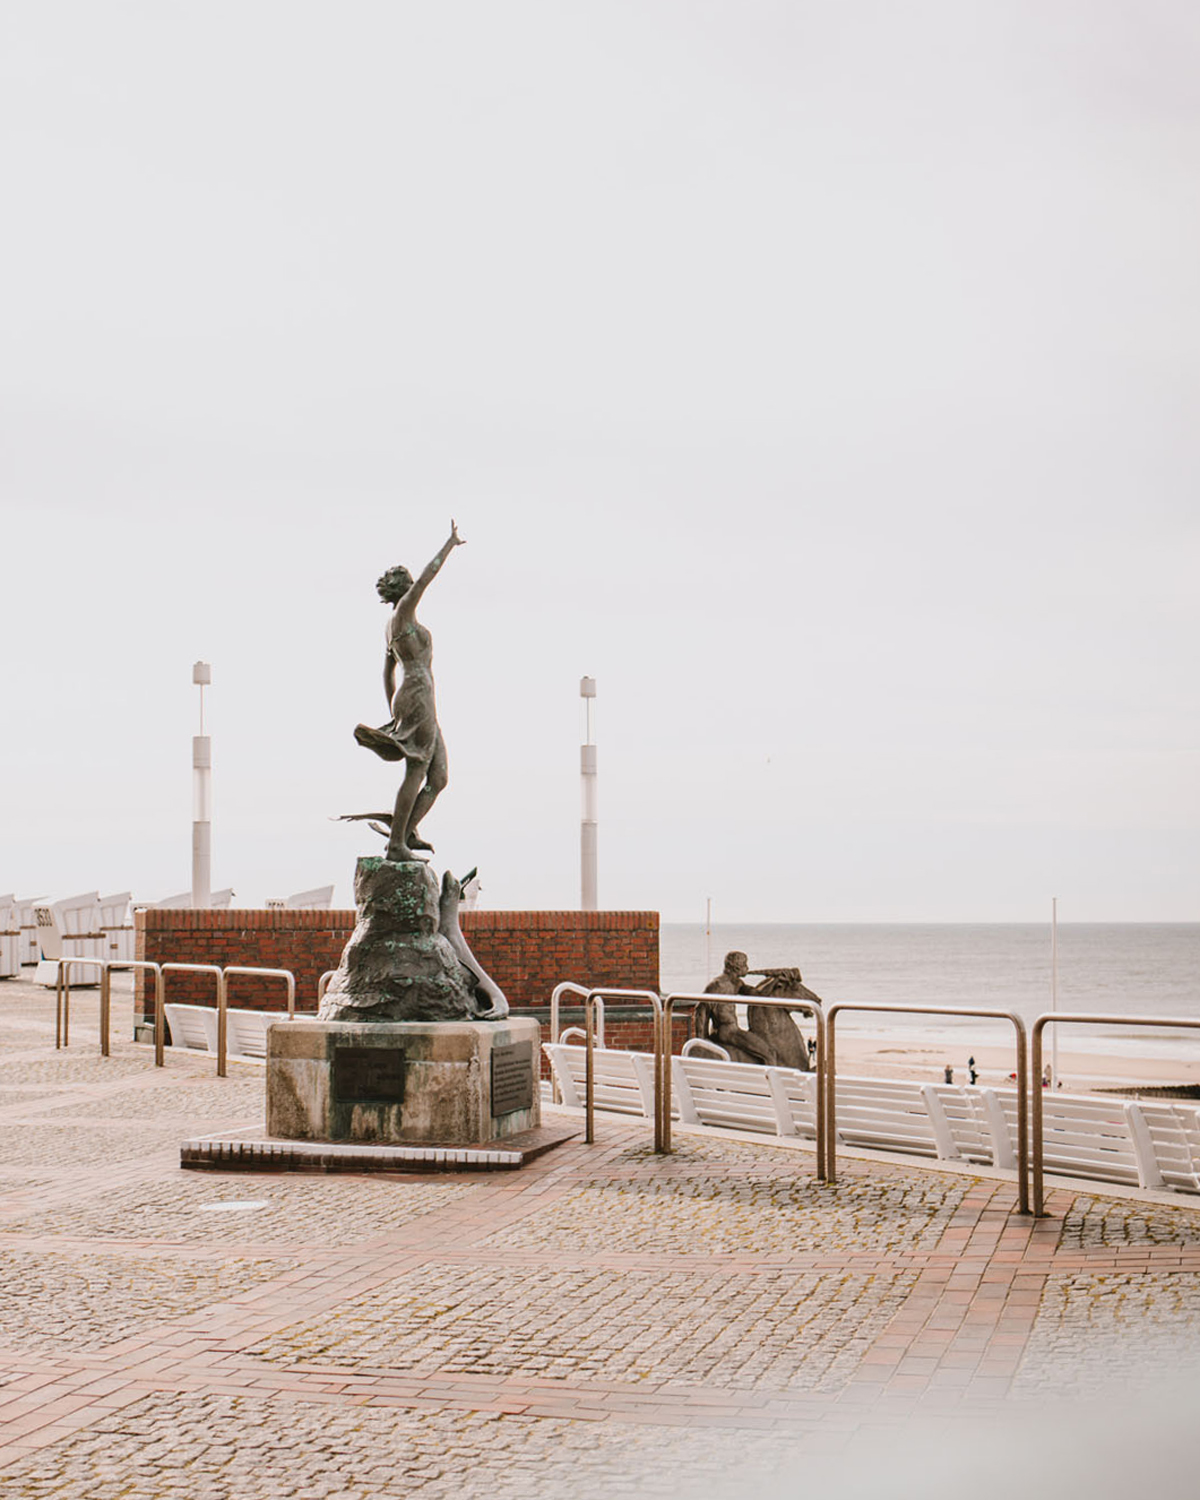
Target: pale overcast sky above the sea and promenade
{"points": [[821, 377]]}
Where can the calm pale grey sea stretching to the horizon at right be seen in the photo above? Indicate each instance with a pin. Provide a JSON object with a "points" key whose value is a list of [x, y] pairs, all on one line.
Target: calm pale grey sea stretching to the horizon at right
{"points": [[1103, 968]]}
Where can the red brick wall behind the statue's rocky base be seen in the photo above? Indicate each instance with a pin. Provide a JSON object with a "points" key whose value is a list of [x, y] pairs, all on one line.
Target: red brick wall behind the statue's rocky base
{"points": [[527, 953]]}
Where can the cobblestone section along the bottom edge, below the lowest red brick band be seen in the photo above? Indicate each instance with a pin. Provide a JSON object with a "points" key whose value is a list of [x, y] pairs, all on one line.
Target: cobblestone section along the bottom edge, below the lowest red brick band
{"points": [[173, 1448]]}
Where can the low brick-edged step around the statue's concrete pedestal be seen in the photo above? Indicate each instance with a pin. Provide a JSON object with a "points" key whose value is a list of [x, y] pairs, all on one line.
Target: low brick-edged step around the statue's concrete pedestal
{"points": [[256, 1151]]}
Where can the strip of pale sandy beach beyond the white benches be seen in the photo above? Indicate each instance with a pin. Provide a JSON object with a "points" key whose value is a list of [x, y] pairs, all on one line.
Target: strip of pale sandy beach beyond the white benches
{"points": [[896, 1057]]}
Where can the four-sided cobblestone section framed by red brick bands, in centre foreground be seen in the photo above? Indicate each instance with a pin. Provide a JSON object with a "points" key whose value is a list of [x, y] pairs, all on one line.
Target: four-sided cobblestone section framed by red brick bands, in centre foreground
{"points": [[778, 1331]]}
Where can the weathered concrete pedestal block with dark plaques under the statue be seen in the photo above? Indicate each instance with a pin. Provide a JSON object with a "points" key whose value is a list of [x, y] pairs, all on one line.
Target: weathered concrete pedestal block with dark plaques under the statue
{"points": [[446, 1084]]}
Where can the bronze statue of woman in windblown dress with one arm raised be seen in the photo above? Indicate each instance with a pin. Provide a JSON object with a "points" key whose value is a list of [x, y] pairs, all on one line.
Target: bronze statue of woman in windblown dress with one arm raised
{"points": [[412, 734]]}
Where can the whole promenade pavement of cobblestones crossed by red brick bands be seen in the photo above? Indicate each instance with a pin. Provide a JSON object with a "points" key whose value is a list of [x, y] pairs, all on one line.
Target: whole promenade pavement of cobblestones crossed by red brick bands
{"points": [[604, 1322]]}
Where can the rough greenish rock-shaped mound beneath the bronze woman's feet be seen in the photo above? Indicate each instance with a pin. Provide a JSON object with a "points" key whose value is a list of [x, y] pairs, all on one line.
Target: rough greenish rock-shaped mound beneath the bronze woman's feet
{"points": [[407, 959]]}
